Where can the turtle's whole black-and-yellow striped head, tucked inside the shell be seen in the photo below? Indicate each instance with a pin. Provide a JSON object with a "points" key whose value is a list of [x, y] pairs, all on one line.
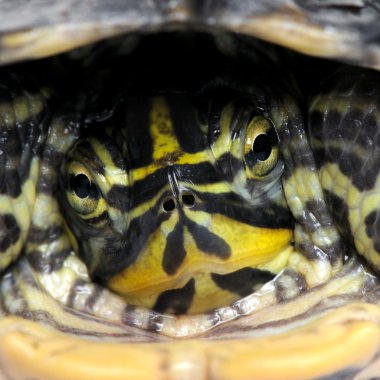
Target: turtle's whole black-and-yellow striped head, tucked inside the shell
{"points": [[178, 206]]}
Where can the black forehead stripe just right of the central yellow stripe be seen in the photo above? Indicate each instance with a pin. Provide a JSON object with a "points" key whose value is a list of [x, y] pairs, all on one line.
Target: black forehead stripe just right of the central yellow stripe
{"points": [[186, 125]]}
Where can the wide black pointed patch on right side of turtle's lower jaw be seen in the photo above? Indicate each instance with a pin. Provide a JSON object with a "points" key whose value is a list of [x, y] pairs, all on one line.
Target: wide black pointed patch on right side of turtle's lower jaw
{"points": [[243, 281]]}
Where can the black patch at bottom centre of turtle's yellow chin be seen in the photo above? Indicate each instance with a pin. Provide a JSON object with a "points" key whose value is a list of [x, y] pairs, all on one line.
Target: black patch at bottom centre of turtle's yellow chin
{"points": [[176, 301]]}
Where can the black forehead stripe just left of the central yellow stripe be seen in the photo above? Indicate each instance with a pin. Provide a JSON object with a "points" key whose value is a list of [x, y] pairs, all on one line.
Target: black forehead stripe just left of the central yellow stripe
{"points": [[140, 144]]}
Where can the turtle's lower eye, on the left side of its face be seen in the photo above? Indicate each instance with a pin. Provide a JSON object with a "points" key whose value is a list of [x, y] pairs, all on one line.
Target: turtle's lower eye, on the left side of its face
{"points": [[82, 192]]}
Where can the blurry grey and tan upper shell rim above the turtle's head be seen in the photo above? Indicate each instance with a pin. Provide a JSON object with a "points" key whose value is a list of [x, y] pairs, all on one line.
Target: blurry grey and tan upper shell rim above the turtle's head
{"points": [[343, 30]]}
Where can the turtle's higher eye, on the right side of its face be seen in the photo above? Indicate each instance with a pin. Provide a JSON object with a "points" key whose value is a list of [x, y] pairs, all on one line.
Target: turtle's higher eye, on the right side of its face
{"points": [[260, 147]]}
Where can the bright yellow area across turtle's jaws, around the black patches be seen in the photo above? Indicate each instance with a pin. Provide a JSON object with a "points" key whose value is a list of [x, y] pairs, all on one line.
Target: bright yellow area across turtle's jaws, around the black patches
{"points": [[261, 248]]}
